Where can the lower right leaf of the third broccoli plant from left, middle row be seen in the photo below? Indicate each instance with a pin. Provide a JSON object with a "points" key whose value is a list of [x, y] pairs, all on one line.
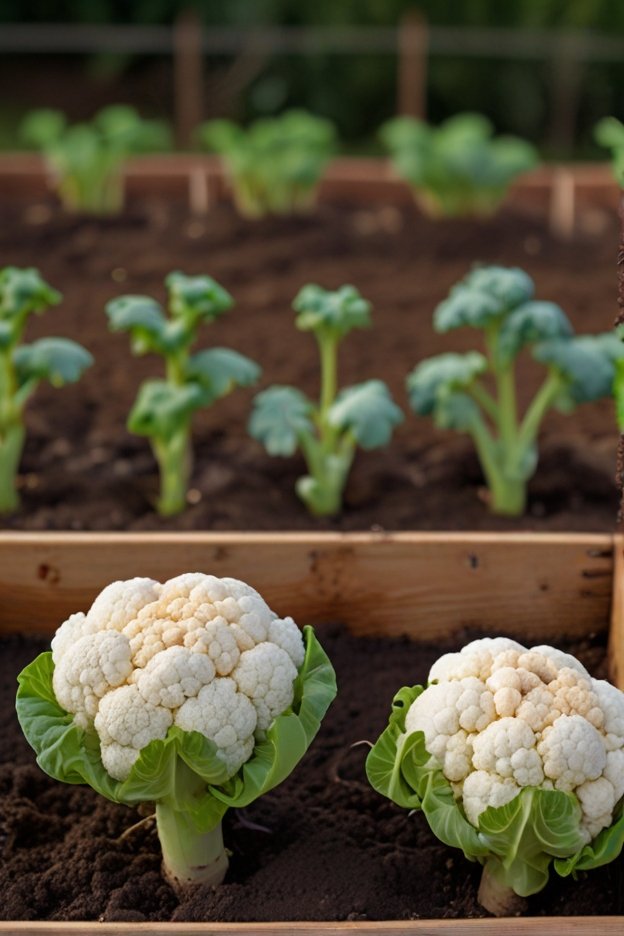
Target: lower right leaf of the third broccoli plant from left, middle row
{"points": [[368, 412]]}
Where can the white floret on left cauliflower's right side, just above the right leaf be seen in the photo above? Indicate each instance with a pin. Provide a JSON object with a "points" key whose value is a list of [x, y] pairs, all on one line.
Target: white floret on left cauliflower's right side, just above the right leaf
{"points": [[266, 675]]}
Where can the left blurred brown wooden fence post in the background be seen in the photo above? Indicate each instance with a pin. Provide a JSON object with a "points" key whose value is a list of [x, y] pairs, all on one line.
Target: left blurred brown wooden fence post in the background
{"points": [[187, 76]]}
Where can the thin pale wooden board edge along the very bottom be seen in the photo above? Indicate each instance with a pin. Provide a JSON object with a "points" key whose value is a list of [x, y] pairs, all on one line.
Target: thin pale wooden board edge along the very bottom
{"points": [[521, 926]]}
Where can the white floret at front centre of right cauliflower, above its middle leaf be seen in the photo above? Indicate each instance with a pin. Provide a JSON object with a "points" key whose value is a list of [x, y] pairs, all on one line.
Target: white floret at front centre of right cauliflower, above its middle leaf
{"points": [[507, 748]]}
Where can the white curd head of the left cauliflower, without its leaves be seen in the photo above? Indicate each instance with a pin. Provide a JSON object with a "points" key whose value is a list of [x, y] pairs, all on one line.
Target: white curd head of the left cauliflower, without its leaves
{"points": [[199, 652]]}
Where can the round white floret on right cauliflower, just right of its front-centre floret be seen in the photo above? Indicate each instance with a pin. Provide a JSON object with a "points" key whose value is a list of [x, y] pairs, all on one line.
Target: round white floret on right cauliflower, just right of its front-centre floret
{"points": [[572, 751]]}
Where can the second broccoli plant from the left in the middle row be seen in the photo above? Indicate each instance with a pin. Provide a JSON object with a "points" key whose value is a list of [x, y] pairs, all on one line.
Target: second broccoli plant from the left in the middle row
{"points": [[164, 409]]}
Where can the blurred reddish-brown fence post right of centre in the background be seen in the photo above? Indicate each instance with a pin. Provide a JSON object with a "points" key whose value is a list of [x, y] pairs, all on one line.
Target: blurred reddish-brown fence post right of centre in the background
{"points": [[412, 65]]}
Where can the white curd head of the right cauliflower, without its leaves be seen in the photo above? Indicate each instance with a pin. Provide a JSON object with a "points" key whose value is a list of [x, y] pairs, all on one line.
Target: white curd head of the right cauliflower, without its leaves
{"points": [[498, 717]]}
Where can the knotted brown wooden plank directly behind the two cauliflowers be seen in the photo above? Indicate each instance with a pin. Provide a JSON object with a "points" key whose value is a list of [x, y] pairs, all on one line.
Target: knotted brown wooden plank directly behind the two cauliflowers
{"points": [[425, 585]]}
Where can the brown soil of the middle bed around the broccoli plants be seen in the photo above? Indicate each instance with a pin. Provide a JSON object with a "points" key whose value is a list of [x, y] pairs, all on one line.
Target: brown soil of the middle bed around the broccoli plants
{"points": [[83, 470]]}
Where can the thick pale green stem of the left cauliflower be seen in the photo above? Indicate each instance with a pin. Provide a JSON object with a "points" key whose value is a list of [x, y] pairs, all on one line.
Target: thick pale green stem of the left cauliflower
{"points": [[189, 857]]}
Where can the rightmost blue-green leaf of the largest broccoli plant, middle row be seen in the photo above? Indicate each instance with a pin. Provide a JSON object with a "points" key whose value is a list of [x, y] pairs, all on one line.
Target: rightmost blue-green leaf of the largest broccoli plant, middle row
{"points": [[585, 364]]}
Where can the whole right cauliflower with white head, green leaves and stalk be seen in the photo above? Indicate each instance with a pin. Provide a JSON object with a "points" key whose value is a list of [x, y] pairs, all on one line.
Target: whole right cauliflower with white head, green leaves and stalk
{"points": [[514, 755]]}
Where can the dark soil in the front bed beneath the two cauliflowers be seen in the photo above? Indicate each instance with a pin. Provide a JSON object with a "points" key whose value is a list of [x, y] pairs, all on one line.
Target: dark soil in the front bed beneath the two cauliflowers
{"points": [[331, 848]]}
